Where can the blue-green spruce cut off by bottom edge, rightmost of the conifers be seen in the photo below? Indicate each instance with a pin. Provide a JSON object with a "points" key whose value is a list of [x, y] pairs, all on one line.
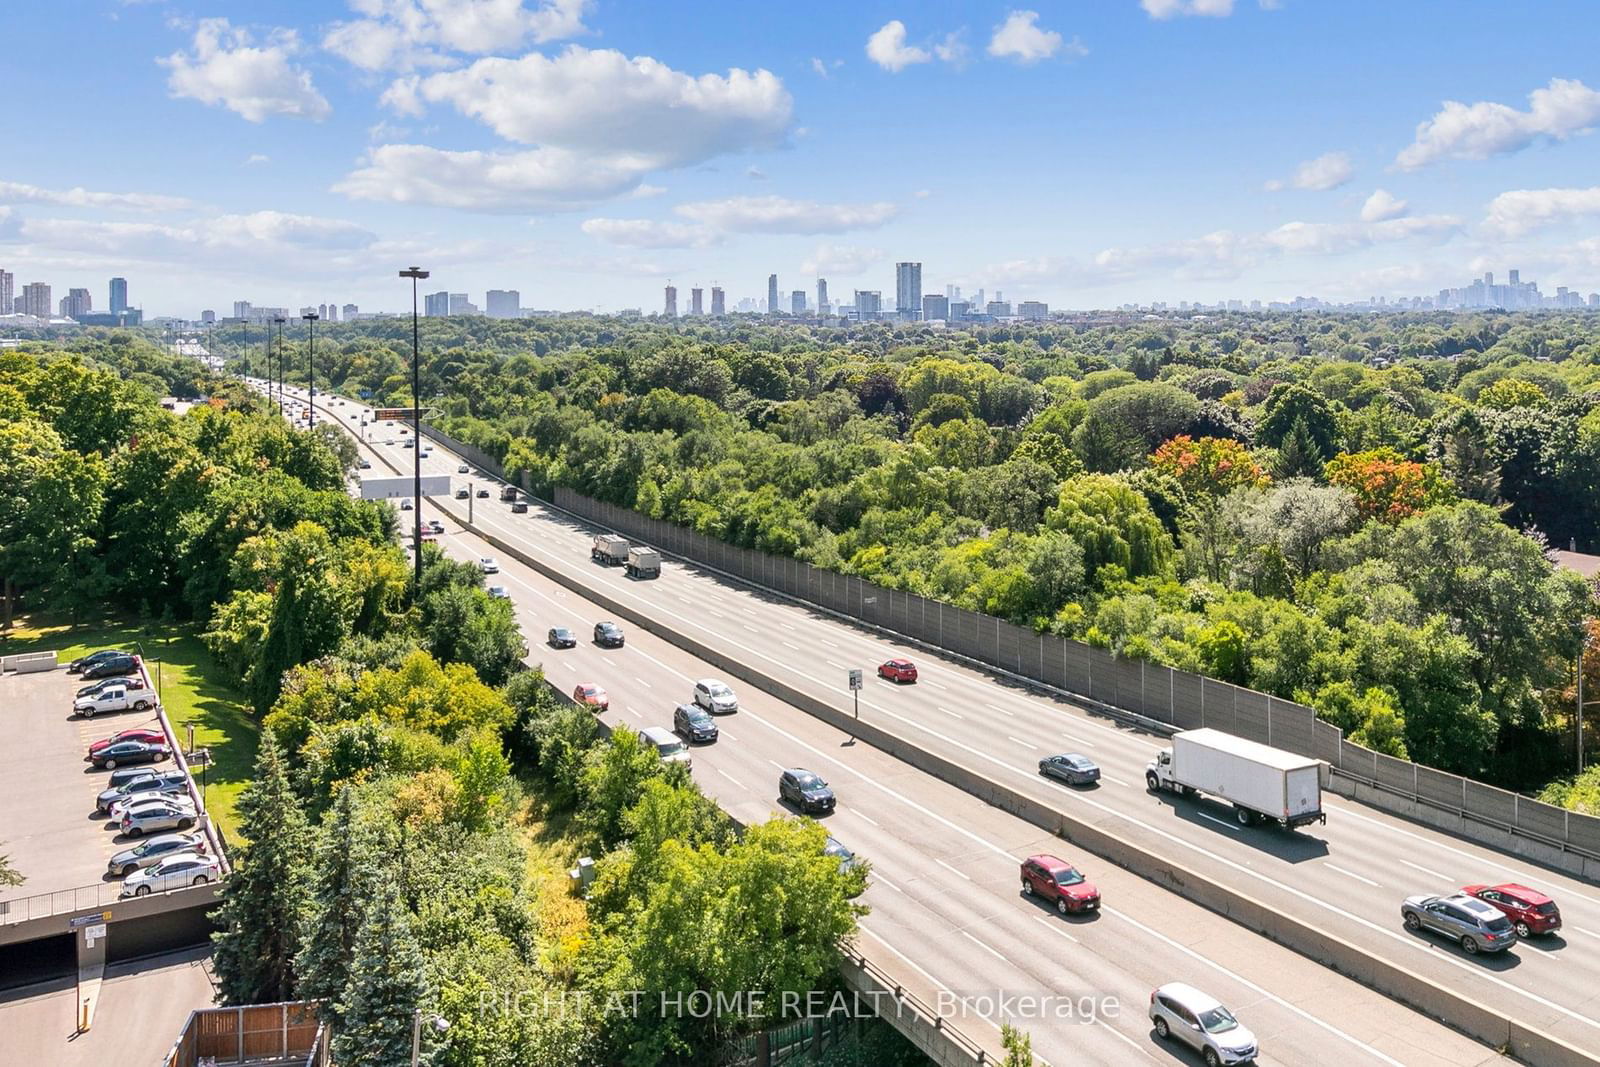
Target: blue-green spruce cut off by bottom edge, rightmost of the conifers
{"points": [[386, 983]]}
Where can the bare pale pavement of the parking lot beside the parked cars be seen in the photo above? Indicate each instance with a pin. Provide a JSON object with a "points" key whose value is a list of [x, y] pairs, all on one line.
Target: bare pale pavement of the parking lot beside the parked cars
{"points": [[52, 833]]}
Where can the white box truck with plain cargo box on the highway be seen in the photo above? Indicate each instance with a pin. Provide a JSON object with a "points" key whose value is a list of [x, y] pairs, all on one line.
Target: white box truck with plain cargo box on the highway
{"points": [[1260, 781]]}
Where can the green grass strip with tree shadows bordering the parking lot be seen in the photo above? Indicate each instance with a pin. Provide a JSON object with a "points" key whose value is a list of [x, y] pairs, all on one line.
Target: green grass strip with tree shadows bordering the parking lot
{"points": [[193, 689]]}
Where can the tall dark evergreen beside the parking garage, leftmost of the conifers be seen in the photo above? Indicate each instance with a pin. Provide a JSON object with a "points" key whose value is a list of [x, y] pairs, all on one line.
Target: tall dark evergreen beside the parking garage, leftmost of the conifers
{"points": [[265, 898]]}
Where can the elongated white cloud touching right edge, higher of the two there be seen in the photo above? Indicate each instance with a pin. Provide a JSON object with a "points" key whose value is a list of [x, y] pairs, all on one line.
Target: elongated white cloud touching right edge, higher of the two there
{"points": [[1476, 132]]}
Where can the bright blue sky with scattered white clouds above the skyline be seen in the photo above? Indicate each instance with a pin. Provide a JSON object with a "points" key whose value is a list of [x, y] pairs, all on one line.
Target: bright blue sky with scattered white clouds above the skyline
{"points": [[1084, 154]]}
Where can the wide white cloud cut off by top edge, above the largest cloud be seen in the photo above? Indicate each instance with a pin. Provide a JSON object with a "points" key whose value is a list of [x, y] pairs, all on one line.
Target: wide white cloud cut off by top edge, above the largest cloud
{"points": [[410, 34]]}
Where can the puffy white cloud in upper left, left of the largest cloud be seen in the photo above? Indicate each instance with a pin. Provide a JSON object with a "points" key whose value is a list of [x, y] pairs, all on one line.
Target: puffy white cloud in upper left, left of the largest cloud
{"points": [[255, 81]]}
